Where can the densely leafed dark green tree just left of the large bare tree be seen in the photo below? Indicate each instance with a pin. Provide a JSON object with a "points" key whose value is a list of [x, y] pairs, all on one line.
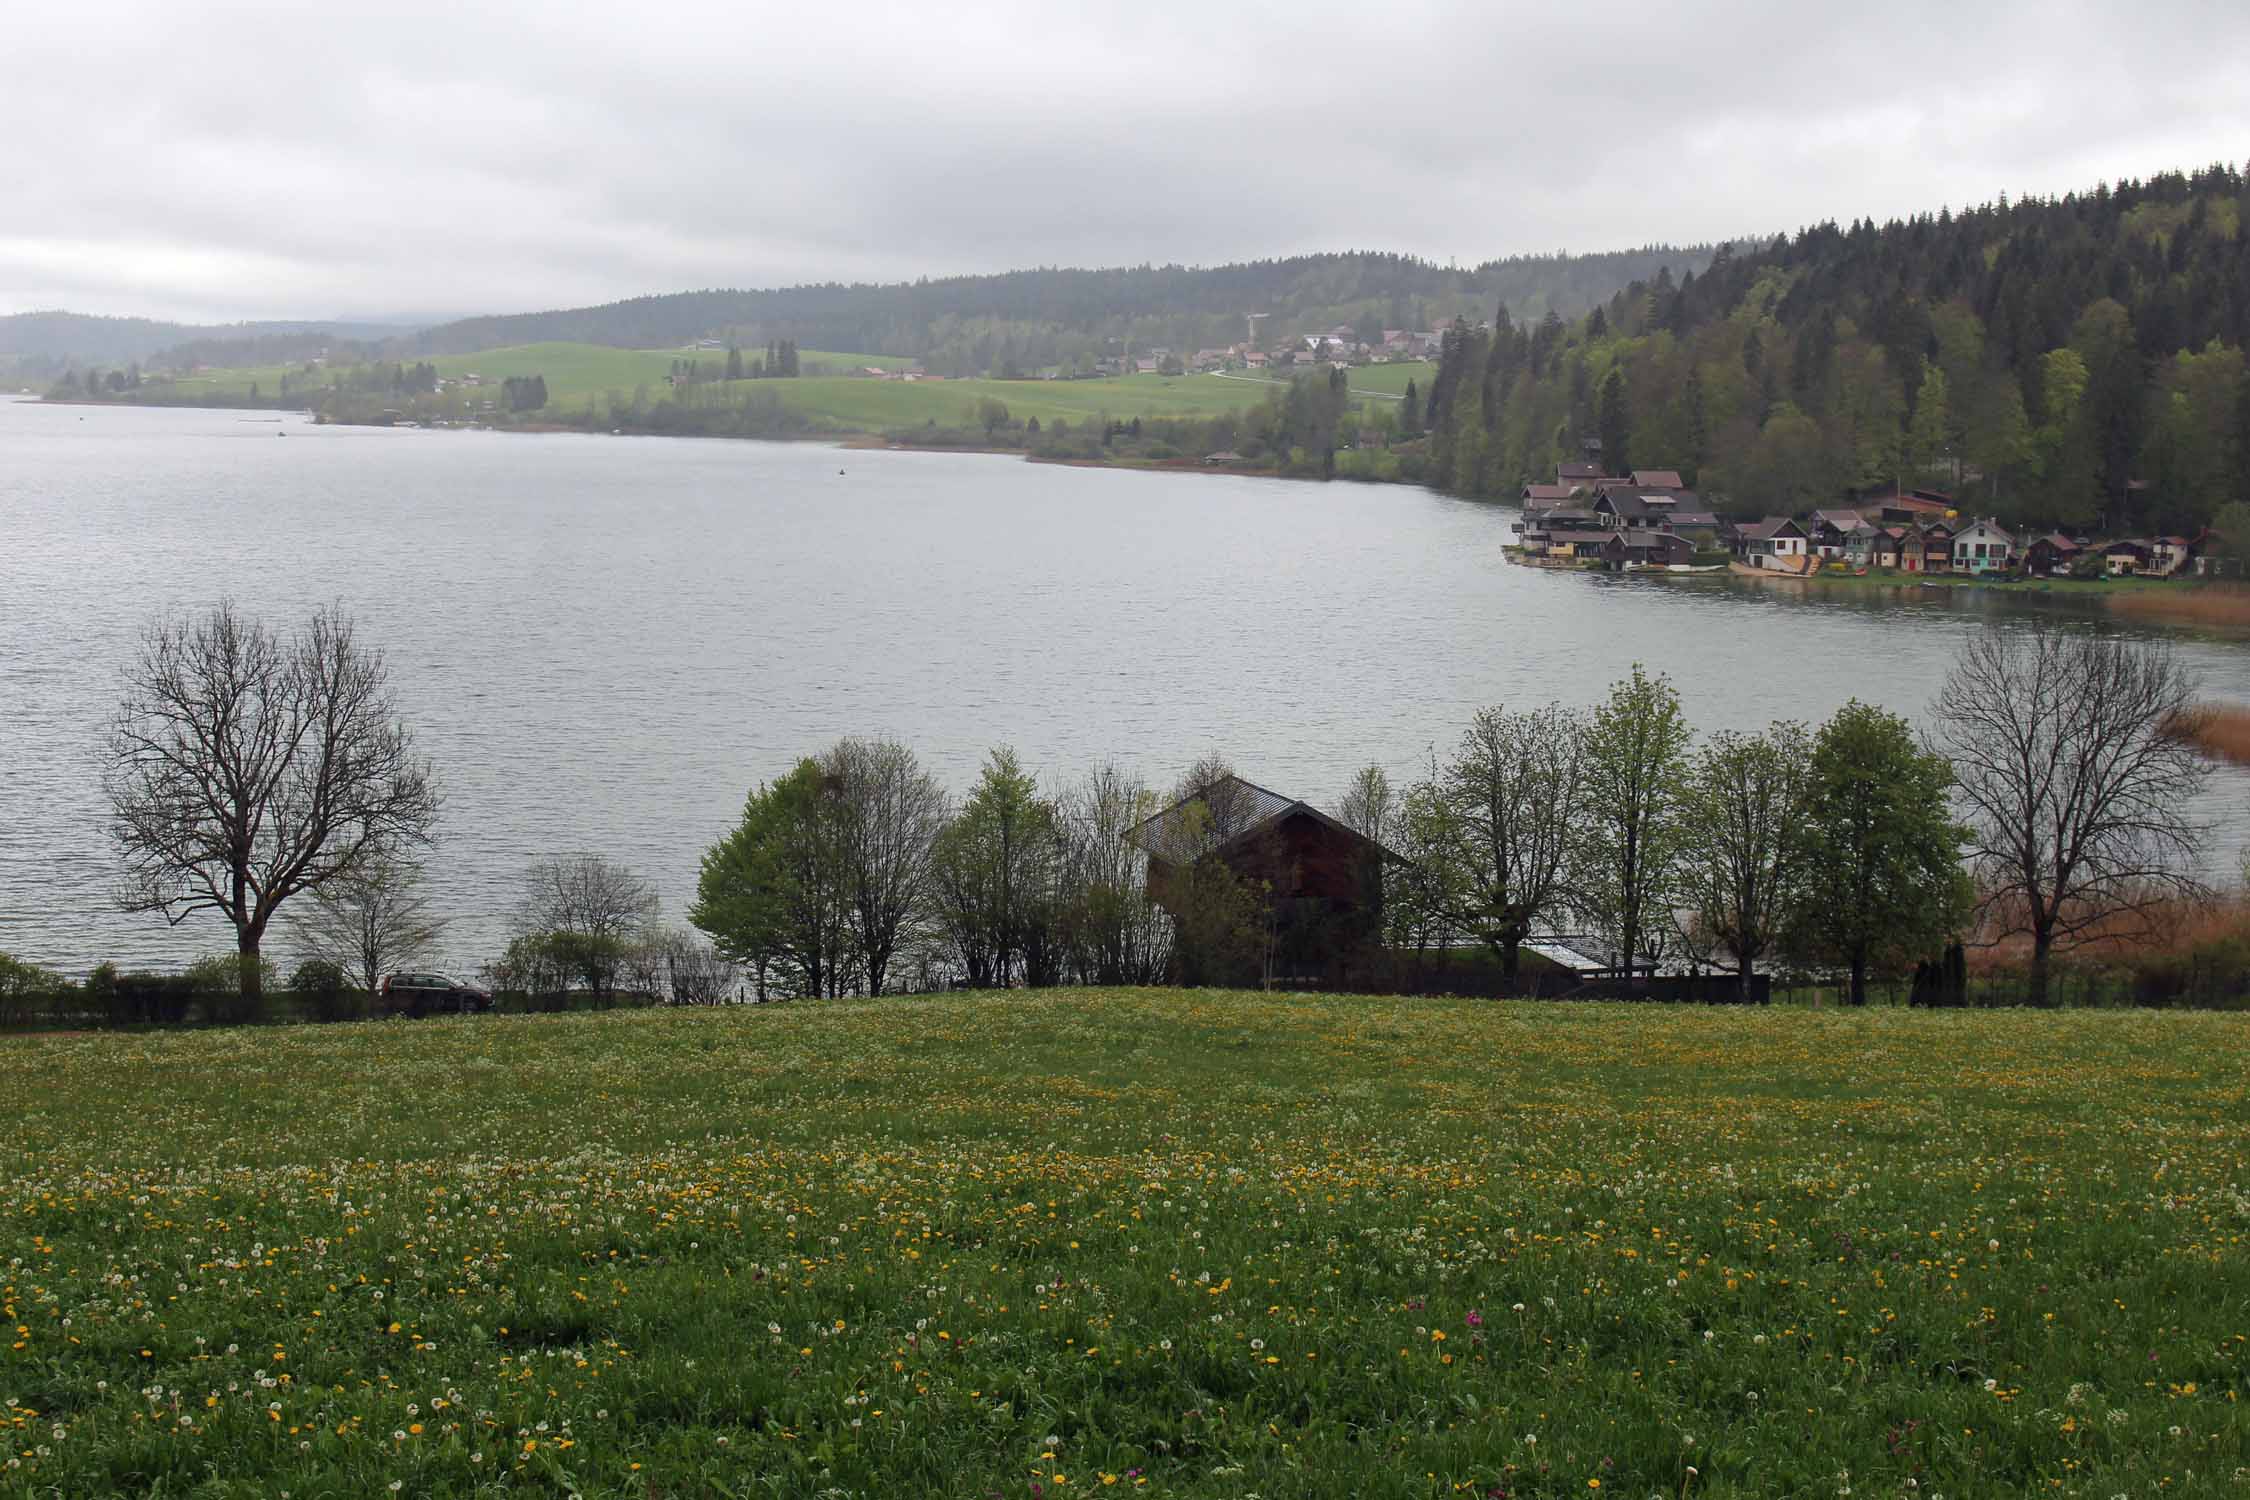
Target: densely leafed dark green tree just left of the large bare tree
{"points": [[1880, 853]]}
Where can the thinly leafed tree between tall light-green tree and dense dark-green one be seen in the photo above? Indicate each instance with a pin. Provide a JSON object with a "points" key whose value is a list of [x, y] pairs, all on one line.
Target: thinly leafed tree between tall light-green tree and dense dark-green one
{"points": [[1740, 867]]}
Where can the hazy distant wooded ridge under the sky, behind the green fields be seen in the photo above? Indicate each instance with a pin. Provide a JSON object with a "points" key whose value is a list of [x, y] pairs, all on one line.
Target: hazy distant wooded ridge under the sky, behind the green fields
{"points": [[1041, 318]]}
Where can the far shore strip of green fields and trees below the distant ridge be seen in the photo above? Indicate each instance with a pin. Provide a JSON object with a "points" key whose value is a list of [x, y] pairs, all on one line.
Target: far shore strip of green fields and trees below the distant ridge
{"points": [[1324, 419]]}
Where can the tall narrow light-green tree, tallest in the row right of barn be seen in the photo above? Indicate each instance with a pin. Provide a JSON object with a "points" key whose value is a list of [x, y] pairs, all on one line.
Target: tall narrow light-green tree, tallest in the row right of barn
{"points": [[1632, 815]]}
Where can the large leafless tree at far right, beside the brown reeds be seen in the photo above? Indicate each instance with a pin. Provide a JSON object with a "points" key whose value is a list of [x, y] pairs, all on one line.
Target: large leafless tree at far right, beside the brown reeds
{"points": [[2080, 772]]}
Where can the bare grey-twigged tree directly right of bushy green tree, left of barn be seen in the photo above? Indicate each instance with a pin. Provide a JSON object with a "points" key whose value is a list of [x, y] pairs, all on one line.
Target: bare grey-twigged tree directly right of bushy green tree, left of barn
{"points": [[890, 820]]}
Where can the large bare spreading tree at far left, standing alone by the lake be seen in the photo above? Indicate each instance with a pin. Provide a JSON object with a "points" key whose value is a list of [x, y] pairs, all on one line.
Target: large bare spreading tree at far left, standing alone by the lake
{"points": [[246, 768]]}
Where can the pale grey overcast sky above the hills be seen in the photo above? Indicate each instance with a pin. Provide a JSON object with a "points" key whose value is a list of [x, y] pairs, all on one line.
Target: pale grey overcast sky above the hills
{"points": [[219, 161]]}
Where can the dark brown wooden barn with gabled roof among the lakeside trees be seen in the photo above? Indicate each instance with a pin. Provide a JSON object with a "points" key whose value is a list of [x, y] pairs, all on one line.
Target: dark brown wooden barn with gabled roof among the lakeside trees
{"points": [[1322, 883]]}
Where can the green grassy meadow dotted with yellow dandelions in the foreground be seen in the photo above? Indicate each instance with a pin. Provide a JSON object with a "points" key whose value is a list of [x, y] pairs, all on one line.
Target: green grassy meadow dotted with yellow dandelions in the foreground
{"points": [[1164, 1243]]}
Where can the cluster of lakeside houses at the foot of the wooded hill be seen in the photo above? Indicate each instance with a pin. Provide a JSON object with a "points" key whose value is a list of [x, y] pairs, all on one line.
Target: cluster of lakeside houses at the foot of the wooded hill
{"points": [[1650, 521]]}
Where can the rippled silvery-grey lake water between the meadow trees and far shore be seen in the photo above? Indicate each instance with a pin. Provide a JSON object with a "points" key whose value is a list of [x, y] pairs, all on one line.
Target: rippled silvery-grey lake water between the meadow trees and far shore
{"points": [[606, 642]]}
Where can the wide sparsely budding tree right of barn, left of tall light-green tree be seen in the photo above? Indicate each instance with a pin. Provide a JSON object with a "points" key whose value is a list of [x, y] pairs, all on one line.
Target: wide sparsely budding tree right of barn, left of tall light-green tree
{"points": [[1506, 808]]}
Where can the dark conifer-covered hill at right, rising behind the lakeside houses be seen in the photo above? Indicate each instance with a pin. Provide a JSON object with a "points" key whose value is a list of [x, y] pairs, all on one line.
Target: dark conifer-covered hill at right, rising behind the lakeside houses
{"points": [[2062, 361]]}
